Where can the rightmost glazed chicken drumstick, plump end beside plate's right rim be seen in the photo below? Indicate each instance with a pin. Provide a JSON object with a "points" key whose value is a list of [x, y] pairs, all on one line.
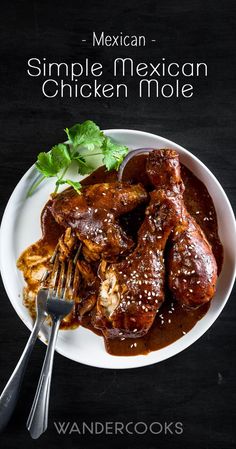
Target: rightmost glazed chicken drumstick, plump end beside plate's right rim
{"points": [[191, 265]]}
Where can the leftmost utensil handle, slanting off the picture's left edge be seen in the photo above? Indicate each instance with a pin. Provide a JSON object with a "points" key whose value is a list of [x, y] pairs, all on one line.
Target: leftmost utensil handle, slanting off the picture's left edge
{"points": [[9, 396]]}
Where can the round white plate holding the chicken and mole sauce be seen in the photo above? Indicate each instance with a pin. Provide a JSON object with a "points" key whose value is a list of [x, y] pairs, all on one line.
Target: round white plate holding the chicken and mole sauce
{"points": [[21, 227]]}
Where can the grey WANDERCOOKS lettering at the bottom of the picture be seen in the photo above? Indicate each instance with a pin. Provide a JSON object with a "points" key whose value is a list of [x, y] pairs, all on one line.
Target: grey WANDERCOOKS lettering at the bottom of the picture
{"points": [[118, 428]]}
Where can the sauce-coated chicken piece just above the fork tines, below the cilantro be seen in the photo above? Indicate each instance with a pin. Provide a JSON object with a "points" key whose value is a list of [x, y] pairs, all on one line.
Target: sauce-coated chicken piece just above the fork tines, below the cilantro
{"points": [[93, 216]]}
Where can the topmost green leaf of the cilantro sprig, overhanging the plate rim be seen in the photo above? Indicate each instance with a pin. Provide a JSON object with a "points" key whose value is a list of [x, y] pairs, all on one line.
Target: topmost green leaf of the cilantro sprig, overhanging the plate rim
{"points": [[88, 135]]}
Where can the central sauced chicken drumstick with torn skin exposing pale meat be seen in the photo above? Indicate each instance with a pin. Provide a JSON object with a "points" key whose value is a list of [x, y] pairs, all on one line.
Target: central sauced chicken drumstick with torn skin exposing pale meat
{"points": [[132, 291]]}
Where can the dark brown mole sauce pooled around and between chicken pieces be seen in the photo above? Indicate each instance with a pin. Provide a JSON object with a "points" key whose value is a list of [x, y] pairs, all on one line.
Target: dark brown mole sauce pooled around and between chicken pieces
{"points": [[172, 321]]}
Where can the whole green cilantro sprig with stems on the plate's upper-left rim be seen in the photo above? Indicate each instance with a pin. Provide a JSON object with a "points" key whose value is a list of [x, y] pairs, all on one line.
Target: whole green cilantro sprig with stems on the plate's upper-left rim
{"points": [[85, 141]]}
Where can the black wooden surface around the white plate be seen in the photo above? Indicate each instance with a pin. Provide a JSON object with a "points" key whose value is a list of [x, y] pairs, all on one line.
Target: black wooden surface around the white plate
{"points": [[197, 386]]}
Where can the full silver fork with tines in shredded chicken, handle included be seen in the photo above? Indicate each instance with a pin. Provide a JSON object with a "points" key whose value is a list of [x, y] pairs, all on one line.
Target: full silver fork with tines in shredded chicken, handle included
{"points": [[59, 304]]}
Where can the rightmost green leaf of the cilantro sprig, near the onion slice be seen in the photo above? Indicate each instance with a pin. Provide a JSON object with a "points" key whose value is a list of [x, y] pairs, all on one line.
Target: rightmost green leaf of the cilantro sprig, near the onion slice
{"points": [[113, 154]]}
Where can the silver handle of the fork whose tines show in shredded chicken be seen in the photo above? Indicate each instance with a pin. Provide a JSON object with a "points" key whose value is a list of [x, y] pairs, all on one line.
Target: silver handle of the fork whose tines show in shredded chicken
{"points": [[38, 418]]}
